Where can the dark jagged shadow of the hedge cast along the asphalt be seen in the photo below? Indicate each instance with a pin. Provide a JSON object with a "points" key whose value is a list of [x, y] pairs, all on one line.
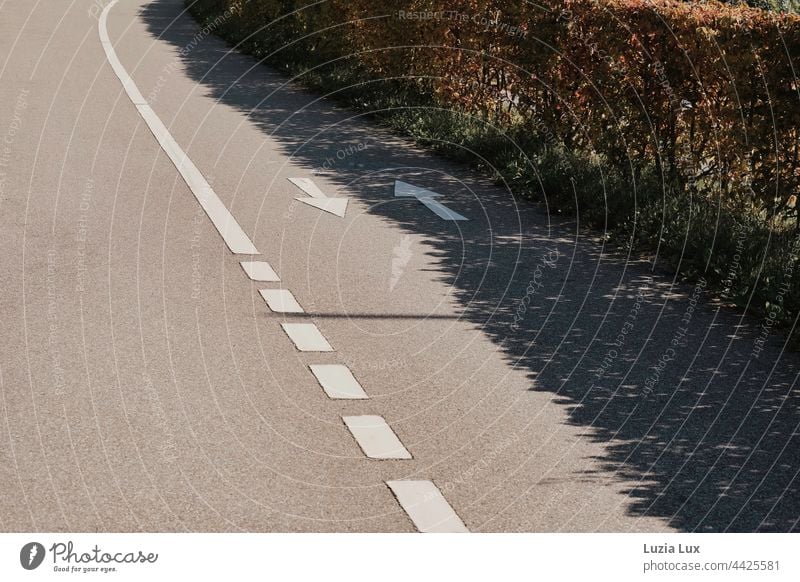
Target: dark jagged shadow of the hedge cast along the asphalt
{"points": [[707, 439]]}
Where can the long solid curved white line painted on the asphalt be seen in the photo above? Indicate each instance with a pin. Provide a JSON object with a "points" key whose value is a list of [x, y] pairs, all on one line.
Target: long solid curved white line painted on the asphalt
{"points": [[233, 235]]}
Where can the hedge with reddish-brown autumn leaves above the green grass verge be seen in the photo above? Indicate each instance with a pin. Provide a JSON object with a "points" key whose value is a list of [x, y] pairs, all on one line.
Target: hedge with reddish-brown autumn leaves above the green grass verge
{"points": [[708, 92]]}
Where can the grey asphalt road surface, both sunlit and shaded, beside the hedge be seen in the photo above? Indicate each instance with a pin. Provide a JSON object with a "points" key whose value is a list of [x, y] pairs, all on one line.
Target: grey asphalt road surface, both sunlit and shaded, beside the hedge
{"points": [[451, 362]]}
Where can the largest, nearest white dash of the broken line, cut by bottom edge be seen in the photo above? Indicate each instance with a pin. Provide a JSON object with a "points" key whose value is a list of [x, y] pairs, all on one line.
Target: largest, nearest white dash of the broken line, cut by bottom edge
{"points": [[426, 507]]}
